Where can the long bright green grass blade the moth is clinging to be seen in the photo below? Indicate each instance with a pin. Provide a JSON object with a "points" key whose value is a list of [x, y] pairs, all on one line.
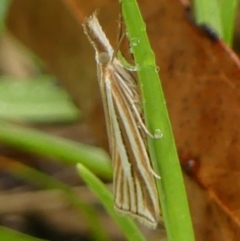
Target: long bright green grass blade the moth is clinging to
{"points": [[163, 153]]}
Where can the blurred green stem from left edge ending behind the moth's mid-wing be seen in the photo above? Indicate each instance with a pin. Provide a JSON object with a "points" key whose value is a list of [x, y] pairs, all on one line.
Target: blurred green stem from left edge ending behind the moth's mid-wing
{"points": [[65, 151]]}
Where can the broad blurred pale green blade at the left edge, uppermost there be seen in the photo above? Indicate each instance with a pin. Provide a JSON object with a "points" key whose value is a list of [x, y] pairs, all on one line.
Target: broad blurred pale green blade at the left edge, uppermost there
{"points": [[37, 100]]}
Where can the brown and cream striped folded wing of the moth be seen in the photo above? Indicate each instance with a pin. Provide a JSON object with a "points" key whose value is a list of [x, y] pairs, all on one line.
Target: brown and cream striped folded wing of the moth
{"points": [[135, 191]]}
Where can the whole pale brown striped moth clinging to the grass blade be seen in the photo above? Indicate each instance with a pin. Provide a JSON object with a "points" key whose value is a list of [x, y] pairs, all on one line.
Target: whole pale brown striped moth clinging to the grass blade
{"points": [[134, 186]]}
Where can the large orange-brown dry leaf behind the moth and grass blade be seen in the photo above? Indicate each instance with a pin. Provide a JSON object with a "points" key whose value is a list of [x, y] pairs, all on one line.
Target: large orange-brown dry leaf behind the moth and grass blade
{"points": [[200, 81]]}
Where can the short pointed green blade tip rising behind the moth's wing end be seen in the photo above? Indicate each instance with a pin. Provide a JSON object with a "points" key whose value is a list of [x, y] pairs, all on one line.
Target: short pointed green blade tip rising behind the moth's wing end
{"points": [[126, 224]]}
